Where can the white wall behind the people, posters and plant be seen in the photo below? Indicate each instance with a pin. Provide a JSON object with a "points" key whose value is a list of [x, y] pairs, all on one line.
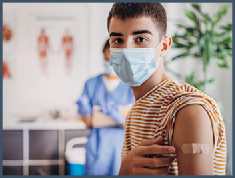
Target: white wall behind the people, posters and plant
{"points": [[20, 97]]}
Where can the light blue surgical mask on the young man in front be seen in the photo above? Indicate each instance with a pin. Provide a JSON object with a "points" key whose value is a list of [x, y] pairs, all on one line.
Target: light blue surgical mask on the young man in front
{"points": [[133, 65]]}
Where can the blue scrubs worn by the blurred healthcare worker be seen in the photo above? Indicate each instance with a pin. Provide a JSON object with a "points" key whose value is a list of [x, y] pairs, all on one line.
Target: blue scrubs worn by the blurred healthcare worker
{"points": [[104, 146]]}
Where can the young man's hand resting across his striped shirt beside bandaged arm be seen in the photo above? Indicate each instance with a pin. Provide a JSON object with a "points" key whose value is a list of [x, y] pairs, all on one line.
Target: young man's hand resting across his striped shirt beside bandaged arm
{"points": [[137, 162]]}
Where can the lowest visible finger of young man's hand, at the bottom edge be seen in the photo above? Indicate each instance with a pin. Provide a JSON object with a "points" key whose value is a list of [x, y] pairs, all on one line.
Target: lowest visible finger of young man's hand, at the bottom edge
{"points": [[147, 171]]}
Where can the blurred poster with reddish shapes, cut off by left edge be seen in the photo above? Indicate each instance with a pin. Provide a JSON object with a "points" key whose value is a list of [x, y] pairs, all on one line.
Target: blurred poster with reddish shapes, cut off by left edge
{"points": [[8, 37]]}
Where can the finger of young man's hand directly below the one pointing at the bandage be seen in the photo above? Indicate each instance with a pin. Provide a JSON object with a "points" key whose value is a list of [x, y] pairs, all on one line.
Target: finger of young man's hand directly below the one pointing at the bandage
{"points": [[152, 162]]}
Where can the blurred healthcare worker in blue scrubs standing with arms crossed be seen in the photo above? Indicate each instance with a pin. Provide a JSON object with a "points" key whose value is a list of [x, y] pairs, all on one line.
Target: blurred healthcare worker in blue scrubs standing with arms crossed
{"points": [[109, 94]]}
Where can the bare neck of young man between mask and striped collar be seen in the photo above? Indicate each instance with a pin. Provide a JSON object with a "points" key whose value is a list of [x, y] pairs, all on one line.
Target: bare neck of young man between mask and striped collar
{"points": [[155, 79]]}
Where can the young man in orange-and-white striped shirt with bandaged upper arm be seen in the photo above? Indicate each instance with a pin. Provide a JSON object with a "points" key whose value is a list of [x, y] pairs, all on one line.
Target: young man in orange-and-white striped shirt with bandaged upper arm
{"points": [[179, 117]]}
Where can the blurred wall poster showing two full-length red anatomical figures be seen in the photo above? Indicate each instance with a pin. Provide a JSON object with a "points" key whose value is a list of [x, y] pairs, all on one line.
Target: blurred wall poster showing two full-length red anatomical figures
{"points": [[55, 43]]}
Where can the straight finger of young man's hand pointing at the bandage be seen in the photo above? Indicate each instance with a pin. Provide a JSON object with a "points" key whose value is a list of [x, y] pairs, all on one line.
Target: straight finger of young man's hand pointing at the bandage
{"points": [[154, 149]]}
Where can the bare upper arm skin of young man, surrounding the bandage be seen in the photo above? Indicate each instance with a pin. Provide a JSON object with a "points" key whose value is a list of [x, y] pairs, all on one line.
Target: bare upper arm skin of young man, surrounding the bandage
{"points": [[193, 125]]}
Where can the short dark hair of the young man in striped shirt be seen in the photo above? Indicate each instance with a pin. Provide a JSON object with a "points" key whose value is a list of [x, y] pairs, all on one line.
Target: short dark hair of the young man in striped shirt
{"points": [[134, 10]]}
